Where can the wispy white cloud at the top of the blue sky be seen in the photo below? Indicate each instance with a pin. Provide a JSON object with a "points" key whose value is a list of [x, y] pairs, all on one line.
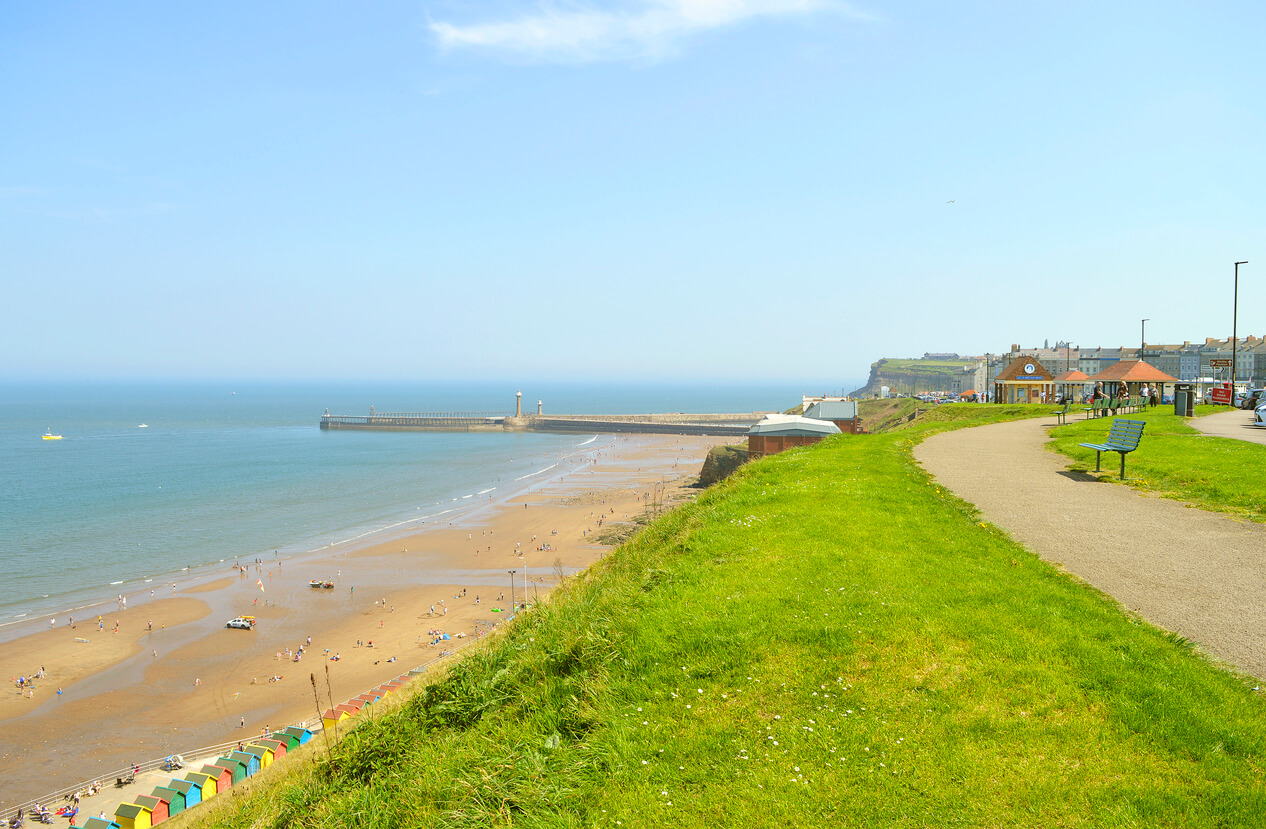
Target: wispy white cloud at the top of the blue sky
{"points": [[637, 30]]}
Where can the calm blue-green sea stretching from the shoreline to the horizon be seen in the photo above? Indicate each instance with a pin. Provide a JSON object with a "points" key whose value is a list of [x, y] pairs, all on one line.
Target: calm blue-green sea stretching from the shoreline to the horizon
{"points": [[226, 471]]}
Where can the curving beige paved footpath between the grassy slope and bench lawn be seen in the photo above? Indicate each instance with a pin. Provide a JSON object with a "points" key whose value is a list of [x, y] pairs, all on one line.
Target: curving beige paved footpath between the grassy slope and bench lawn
{"points": [[1198, 574]]}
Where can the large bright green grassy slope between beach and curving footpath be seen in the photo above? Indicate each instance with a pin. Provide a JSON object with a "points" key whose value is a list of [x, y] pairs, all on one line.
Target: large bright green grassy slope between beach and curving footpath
{"points": [[824, 640]]}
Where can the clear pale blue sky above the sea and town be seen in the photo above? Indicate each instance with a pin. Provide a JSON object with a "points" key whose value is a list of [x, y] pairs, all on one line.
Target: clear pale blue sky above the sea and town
{"points": [[644, 189]]}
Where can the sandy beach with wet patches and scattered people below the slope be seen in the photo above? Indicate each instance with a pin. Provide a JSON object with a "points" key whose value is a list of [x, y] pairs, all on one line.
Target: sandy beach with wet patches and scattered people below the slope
{"points": [[174, 678]]}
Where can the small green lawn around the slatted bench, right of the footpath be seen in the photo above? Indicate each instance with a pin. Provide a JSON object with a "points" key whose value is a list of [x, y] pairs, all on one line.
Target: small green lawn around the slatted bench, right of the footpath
{"points": [[1177, 461]]}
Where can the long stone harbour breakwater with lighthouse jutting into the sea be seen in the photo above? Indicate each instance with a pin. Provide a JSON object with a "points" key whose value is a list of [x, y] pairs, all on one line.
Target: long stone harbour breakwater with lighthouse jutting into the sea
{"points": [[678, 423]]}
